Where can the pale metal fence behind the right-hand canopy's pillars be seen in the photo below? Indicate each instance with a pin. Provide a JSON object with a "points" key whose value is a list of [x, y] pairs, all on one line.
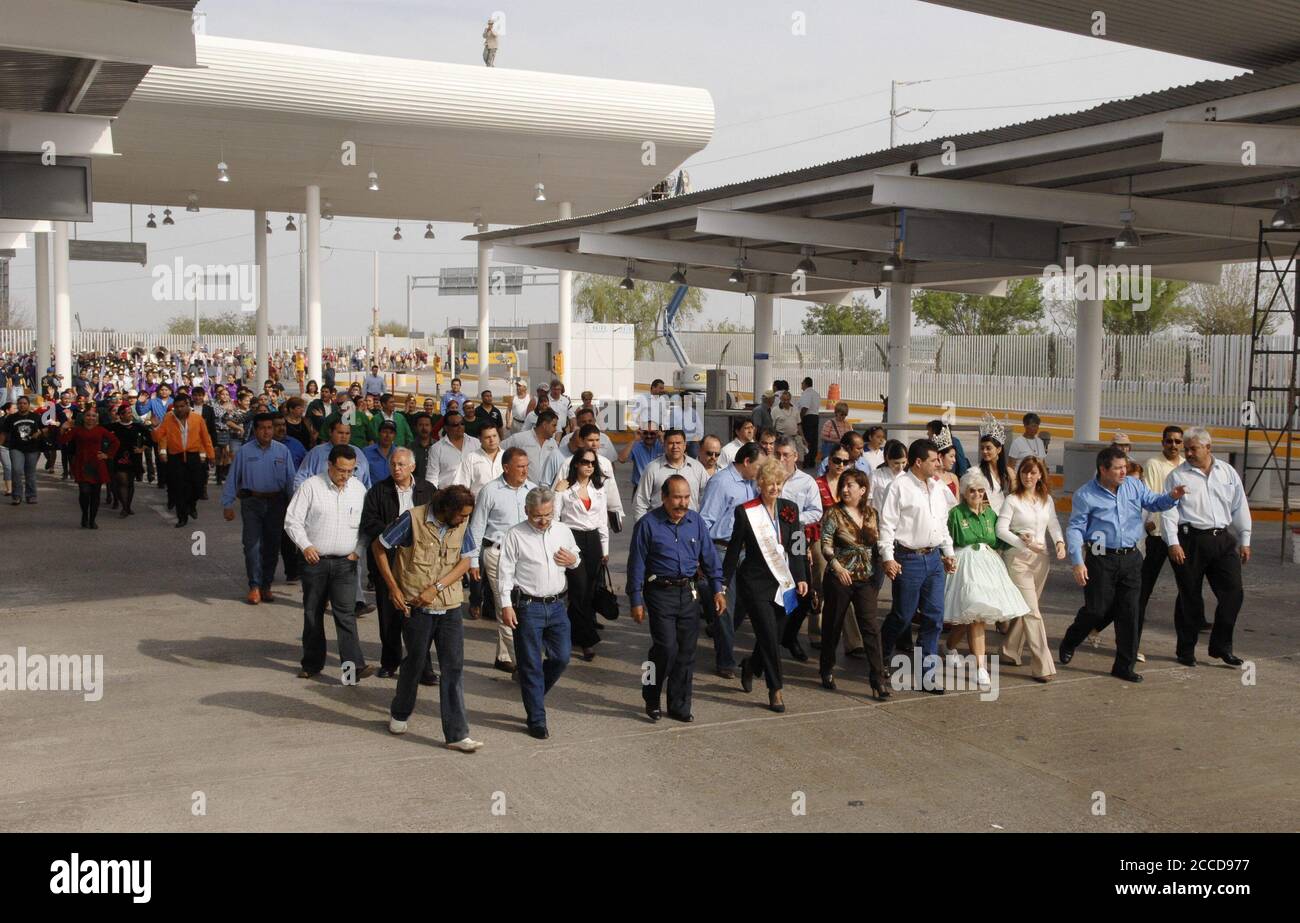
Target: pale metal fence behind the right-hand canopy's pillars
{"points": [[1198, 380]]}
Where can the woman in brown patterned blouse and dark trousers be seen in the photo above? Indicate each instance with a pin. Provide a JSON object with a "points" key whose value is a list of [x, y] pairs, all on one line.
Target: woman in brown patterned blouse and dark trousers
{"points": [[850, 536]]}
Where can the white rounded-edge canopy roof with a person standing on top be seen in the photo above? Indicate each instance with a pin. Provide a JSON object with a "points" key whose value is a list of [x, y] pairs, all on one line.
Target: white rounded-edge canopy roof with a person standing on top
{"points": [[448, 141]]}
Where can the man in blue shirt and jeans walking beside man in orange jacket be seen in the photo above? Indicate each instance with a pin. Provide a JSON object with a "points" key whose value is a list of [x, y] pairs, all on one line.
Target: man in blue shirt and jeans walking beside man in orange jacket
{"points": [[261, 475]]}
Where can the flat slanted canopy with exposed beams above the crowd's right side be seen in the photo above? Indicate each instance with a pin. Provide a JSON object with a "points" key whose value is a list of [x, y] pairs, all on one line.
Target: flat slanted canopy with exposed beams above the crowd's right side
{"points": [[1107, 153]]}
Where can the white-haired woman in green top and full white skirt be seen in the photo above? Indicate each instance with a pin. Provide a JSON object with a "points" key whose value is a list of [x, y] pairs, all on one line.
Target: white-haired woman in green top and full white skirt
{"points": [[980, 592]]}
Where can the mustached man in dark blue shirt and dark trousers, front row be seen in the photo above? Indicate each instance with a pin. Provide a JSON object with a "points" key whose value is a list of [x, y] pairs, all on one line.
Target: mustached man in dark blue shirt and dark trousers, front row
{"points": [[669, 545]]}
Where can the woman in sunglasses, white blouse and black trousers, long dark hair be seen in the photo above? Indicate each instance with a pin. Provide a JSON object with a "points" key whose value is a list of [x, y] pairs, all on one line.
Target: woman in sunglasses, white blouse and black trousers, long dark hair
{"points": [[583, 506]]}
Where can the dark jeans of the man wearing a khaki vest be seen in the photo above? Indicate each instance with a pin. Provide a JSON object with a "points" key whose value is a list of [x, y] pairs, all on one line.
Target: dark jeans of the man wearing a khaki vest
{"points": [[447, 632]]}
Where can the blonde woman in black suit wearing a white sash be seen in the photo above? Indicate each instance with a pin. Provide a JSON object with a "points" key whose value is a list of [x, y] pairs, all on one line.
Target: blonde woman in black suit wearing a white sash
{"points": [[772, 578]]}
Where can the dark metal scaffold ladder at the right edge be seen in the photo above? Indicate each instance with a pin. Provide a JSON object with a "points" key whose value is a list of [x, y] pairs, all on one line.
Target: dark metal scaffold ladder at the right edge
{"points": [[1273, 393]]}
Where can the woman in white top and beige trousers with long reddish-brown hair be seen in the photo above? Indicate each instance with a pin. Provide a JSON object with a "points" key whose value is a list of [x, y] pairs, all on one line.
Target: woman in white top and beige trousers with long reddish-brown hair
{"points": [[1026, 521]]}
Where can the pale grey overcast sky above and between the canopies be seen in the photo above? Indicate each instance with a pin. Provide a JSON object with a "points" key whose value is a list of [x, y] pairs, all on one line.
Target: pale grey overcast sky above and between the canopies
{"points": [[782, 102]]}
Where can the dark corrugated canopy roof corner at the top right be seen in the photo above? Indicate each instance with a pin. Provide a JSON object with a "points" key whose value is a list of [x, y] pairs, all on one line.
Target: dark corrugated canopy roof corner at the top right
{"points": [[1242, 33]]}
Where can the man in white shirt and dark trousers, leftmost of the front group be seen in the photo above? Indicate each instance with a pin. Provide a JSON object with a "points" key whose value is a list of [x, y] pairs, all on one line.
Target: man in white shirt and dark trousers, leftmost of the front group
{"points": [[324, 519]]}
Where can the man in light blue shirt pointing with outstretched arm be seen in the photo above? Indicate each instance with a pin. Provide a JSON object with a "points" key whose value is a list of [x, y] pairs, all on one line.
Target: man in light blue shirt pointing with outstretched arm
{"points": [[1102, 538]]}
